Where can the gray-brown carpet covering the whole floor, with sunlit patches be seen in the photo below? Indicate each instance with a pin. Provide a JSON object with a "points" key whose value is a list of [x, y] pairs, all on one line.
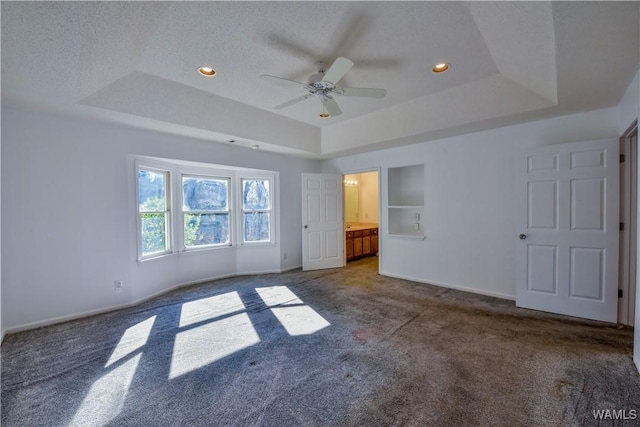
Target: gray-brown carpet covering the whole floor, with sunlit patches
{"points": [[332, 347]]}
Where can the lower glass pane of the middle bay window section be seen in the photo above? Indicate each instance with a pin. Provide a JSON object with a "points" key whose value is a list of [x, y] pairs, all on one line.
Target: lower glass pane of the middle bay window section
{"points": [[206, 229]]}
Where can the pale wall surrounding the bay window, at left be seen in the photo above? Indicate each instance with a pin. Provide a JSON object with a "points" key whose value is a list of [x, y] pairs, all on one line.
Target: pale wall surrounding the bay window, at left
{"points": [[68, 217]]}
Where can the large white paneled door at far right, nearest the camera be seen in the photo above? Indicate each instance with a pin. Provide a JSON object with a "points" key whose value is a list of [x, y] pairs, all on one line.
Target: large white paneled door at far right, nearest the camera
{"points": [[567, 250]]}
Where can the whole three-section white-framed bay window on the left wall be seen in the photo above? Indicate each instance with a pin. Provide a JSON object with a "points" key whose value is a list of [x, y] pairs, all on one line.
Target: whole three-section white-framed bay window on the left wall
{"points": [[220, 206]]}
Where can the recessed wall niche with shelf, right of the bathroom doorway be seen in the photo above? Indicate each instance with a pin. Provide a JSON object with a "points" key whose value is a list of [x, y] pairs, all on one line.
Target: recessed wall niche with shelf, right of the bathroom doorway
{"points": [[405, 201]]}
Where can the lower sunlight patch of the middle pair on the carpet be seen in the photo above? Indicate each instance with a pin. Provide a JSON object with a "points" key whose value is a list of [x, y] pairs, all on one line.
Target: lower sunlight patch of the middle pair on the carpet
{"points": [[205, 344]]}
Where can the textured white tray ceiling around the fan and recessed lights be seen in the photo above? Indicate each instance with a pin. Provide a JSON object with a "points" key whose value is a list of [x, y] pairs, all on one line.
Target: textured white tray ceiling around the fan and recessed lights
{"points": [[135, 63]]}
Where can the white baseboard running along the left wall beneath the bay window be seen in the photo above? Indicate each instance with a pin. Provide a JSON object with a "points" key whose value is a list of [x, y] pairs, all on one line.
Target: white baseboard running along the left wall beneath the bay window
{"points": [[61, 319]]}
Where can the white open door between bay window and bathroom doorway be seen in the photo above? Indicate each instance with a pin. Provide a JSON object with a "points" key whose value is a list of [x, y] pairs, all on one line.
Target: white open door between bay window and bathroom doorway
{"points": [[323, 231]]}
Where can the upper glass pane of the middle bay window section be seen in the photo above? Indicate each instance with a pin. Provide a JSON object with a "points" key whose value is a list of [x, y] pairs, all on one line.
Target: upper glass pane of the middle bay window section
{"points": [[204, 194]]}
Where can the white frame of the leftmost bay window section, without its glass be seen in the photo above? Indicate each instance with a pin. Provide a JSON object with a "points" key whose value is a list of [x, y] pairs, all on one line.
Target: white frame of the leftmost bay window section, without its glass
{"points": [[168, 225]]}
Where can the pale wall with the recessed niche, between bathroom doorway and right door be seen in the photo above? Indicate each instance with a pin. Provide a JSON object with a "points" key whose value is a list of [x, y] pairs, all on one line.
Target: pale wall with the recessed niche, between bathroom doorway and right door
{"points": [[469, 215]]}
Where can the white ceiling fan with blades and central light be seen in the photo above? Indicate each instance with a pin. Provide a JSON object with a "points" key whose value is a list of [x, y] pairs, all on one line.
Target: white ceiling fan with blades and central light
{"points": [[323, 85]]}
